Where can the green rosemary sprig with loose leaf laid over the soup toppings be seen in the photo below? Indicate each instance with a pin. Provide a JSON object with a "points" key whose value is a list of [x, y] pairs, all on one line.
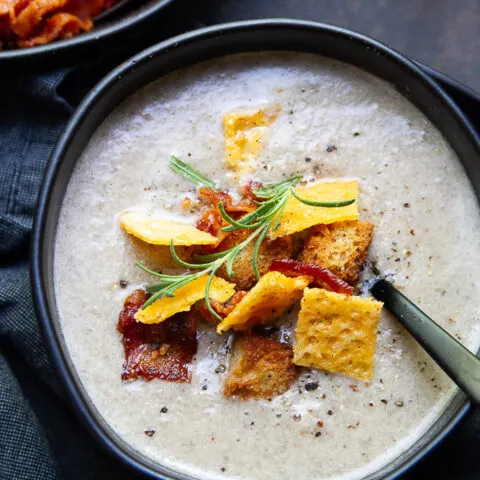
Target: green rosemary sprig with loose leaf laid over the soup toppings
{"points": [[273, 200]]}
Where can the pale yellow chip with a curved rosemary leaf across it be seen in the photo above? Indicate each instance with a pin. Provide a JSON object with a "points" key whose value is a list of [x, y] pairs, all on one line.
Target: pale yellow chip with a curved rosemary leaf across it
{"points": [[297, 216]]}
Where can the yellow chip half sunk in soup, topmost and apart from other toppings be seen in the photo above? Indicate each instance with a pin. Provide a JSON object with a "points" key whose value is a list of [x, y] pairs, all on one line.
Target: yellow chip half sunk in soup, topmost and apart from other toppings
{"points": [[245, 133]]}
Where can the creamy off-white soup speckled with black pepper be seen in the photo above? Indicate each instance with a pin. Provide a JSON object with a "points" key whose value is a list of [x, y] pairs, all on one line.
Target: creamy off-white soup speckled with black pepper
{"points": [[427, 231]]}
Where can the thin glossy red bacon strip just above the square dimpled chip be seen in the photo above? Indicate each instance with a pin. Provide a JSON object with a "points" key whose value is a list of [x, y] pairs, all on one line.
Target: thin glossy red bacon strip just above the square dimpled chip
{"points": [[321, 276]]}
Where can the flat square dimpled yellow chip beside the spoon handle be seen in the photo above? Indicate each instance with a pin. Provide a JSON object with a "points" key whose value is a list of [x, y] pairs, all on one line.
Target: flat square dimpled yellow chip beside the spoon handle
{"points": [[337, 333]]}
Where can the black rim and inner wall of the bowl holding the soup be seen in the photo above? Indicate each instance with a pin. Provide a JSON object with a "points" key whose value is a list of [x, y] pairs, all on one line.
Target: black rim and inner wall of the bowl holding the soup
{"points": [[186, 50]]}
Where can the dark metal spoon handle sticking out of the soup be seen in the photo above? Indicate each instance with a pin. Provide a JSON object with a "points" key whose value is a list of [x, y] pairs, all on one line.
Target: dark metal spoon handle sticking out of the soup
{"points": [[458, 363]]}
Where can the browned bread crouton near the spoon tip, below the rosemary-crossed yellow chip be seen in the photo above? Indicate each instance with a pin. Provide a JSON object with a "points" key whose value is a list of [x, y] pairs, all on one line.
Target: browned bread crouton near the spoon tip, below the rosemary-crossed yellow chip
{"points": [[341, 247]]}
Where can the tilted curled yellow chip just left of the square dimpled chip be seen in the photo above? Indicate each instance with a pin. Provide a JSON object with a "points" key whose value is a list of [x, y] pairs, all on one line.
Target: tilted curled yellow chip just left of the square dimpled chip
{"points": [[268, 299]]}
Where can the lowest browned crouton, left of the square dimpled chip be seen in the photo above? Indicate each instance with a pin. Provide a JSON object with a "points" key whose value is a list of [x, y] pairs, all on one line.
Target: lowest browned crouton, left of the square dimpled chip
{"points": [[261, 367]]}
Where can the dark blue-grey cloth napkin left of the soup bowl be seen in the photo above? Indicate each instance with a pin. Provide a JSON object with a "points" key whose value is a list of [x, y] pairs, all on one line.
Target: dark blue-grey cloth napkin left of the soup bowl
{"points": [[39, 436]]}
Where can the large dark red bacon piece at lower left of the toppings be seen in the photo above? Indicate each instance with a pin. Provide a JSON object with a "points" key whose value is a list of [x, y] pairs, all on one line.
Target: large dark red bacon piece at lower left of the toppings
{"points": [[162, 351]]}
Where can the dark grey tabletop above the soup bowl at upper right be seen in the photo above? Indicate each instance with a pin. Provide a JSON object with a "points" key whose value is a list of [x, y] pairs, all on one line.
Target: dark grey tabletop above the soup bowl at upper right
{"points": [[444, 34]]}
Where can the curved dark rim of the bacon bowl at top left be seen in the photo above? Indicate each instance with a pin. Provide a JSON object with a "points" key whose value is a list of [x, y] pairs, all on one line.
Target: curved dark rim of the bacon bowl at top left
{"points": [[107, 31]]}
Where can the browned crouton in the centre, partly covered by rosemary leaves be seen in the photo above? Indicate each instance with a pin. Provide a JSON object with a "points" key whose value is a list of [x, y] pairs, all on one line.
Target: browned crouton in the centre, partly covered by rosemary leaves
{"points": [[244, 277]]}
